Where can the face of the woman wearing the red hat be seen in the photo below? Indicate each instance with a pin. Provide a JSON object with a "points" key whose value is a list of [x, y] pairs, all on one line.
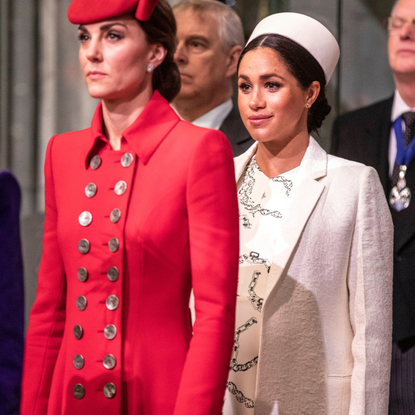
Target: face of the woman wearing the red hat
{"points": [[114, 56]]}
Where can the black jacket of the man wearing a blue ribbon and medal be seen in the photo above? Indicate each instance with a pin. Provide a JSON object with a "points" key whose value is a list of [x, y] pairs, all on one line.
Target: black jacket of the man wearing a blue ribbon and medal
{"points": [[363, 136]]}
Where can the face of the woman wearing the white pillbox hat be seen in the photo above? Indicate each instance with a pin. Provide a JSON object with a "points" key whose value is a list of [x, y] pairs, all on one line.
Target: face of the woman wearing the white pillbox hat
{"points": [[271, 103]]}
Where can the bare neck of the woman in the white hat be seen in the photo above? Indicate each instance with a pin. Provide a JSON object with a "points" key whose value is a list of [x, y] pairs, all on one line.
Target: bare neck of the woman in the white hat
{"points": [[277, 157]]}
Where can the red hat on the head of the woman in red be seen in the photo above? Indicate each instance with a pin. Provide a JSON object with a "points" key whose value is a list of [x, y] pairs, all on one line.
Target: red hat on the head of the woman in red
{"points": [[92, 11]]}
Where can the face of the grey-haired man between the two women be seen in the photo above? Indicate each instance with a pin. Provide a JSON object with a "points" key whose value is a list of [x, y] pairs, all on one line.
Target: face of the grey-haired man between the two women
{"points": [[202, 62]]}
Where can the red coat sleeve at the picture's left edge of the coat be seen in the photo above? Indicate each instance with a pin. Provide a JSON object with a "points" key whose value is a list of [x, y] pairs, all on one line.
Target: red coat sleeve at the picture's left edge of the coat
{"points": [[47, 317]]}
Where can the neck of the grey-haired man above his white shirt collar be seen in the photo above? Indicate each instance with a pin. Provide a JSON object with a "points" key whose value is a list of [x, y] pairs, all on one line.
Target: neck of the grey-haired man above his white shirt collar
{"points": [[191, 109]]}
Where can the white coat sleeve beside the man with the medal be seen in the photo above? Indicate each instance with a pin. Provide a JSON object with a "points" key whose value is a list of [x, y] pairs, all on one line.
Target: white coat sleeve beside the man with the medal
{"points": [[370, 286]]}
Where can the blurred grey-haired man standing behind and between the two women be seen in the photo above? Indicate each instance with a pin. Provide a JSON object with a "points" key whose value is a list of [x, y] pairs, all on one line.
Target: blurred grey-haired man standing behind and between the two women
{"points": [[211, 39]]}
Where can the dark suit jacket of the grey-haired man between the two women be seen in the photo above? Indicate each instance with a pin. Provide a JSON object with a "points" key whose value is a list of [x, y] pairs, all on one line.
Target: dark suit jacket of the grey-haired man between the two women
{"points": [[237, 134]]}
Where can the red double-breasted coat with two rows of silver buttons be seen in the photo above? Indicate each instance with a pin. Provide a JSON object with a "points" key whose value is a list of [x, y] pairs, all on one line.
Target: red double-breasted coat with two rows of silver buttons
{"points": [[177, 228]]}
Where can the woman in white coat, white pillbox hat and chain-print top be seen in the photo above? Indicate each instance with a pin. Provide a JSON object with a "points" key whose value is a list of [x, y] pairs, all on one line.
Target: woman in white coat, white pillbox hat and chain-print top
{"points": [[313, 331]]}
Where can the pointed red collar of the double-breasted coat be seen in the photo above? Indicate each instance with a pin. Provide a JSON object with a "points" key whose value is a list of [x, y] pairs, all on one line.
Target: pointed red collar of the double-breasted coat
{"points": [[144, 135]]}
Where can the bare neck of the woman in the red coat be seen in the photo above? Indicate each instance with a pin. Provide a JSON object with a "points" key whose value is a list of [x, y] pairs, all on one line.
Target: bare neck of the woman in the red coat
{"points": [[119, 115]]}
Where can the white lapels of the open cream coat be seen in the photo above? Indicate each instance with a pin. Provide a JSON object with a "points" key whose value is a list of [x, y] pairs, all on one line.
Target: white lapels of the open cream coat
{"points": [[306, 193]]}
